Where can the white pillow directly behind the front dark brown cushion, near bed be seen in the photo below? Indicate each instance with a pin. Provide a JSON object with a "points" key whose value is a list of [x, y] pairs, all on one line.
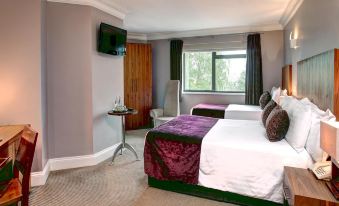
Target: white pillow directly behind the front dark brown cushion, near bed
{"points": [[300, 123]]}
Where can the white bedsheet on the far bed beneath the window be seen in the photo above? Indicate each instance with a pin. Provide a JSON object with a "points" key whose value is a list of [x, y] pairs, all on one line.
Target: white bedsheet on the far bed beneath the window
{"points": [[245, 112]]}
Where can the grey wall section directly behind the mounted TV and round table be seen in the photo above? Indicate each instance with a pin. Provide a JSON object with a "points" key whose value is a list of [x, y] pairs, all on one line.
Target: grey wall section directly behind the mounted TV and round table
{"points": [[107, 83]]}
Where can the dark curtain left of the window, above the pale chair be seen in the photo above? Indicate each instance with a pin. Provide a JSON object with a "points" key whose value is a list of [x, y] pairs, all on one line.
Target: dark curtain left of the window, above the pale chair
{"points": [[176, 59]]}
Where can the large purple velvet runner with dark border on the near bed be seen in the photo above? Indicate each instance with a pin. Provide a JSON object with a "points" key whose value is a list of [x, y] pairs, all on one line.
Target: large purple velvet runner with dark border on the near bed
{"points": [[172, 150]]}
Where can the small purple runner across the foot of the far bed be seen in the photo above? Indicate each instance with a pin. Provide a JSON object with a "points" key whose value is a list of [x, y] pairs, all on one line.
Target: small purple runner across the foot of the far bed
{"points": [[209, 110]]}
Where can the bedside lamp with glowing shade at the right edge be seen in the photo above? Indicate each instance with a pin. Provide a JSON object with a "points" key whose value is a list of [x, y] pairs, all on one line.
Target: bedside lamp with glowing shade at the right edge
{"points": [[329, 142]]}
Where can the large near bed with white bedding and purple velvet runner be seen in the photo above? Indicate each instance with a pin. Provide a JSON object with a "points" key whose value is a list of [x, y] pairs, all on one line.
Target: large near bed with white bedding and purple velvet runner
{"points": [[183, 154]]}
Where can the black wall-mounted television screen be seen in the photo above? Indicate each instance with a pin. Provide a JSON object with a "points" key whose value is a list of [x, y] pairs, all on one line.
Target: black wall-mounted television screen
{"points": [[112, 40]]}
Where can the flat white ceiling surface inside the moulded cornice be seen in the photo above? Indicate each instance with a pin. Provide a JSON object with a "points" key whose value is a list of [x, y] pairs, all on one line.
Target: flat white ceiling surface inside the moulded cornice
{"points": [[154, 16]]}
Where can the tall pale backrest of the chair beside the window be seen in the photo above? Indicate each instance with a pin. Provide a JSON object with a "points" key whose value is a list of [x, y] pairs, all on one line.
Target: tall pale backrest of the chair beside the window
{"points": [[171, 103]]}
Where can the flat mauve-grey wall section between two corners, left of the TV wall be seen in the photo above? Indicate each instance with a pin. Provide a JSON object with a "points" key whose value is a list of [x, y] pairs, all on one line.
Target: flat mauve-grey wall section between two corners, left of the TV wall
{"points": [[69, 80]]}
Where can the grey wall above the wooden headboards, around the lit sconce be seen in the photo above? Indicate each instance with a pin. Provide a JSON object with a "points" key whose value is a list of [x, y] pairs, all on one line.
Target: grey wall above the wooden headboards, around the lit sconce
{"points": [[316, 24]]}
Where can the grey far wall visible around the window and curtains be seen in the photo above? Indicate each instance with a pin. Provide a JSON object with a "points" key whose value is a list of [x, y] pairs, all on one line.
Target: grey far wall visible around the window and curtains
{"points": [[272, 55]]}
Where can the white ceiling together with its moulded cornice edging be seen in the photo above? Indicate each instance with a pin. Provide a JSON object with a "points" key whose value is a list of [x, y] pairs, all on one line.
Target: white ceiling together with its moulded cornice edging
{"points": [[161, 19]]}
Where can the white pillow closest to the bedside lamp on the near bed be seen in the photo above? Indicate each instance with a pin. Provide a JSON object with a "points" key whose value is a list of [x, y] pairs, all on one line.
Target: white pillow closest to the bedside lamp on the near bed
{"points": [[313, 139]]}
